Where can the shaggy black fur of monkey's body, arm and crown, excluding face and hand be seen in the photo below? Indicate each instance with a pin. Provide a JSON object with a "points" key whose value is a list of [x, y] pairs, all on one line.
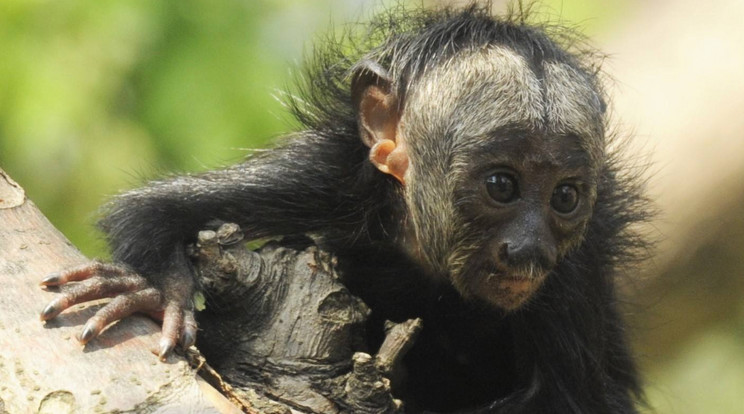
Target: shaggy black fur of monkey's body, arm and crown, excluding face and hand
{"points": [[564, 352]]}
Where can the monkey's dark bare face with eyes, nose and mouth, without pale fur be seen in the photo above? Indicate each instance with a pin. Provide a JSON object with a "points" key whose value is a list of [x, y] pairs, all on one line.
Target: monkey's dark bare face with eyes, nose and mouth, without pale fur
{"points": [[527, 198]]}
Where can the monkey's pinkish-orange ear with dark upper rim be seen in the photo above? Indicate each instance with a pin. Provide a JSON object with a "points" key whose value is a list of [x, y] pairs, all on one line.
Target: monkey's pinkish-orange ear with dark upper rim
{"points": [[377, 111]]}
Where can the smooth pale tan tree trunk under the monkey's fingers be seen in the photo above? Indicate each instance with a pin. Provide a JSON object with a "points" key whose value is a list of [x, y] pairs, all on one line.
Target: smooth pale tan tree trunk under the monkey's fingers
{"points": [[44, 369]]}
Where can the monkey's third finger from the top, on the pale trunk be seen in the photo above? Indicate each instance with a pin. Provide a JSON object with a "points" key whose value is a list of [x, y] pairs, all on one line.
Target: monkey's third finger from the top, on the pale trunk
{"points": [[119, 308]]}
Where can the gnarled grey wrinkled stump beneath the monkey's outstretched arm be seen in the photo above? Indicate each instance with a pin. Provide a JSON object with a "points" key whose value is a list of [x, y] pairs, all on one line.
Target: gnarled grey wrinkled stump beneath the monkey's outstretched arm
{"points": [[280, 323]]}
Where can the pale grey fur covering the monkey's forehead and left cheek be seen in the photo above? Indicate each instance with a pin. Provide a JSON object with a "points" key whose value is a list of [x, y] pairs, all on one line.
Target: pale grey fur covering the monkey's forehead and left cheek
{"points": [[453, 108]]}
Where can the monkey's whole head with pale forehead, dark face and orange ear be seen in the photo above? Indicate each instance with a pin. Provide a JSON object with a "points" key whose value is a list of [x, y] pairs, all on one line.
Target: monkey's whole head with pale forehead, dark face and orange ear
{"points": [[498, 154]]}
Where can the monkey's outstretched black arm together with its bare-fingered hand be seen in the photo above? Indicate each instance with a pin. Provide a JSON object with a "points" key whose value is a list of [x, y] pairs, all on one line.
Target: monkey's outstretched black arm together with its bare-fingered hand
{"points": [[148, 230]]}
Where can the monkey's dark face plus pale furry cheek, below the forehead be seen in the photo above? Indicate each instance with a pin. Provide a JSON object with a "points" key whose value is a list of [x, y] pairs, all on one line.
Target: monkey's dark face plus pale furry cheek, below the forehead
{"points": [[519, 201]]}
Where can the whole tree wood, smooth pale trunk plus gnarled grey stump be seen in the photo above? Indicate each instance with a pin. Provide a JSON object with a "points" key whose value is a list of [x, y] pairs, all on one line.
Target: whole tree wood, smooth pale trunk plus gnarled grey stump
{"points": [[281, 334]]}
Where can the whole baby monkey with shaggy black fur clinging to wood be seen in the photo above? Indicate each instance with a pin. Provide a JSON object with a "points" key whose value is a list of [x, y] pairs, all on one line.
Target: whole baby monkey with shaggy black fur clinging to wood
{"points": [[458, 165]]}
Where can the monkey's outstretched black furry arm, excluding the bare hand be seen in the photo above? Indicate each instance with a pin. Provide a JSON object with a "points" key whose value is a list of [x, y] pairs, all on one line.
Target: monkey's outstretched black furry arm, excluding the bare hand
{"points": [[300, 187]]}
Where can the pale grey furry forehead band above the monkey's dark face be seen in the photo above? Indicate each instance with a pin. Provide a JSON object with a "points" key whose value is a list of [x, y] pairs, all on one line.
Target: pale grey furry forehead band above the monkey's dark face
{"points": [[479, 91]]}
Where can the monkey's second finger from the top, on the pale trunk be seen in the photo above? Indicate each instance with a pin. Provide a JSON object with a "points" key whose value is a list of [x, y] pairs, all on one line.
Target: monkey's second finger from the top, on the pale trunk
{"points": [[92, 289]]}
